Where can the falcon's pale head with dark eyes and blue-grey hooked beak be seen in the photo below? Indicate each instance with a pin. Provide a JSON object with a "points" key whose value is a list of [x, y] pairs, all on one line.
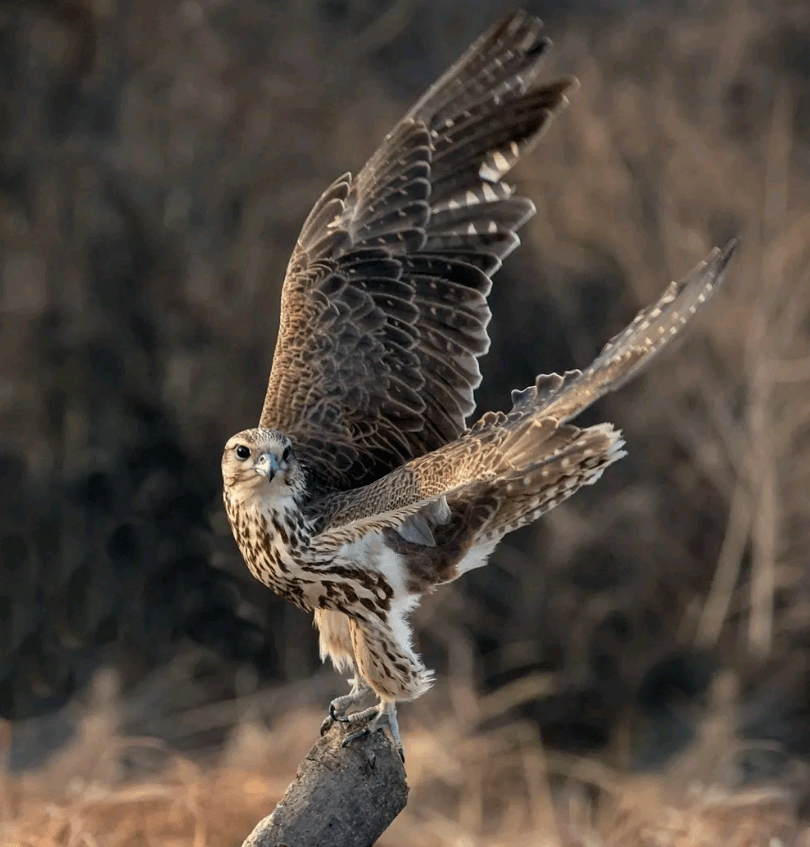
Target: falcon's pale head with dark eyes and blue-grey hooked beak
{"points": [[261, 462]]}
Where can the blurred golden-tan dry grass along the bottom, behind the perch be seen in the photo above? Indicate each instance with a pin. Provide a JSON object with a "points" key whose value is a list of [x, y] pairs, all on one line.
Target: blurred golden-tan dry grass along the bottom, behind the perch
{"points": [[465, 790]]}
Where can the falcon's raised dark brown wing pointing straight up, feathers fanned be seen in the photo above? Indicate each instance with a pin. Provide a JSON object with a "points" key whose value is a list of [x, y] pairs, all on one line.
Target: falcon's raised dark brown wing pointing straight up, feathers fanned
{"points": [[384, 308]]}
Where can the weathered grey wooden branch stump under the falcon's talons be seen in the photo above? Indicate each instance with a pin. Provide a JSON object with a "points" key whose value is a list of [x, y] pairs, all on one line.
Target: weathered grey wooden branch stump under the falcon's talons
{"points": [[340, 797]]}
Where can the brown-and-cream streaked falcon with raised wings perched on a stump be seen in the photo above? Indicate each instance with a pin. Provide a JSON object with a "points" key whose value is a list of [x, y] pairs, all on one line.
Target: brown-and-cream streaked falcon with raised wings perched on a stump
{"points": [[363, 487]]}
